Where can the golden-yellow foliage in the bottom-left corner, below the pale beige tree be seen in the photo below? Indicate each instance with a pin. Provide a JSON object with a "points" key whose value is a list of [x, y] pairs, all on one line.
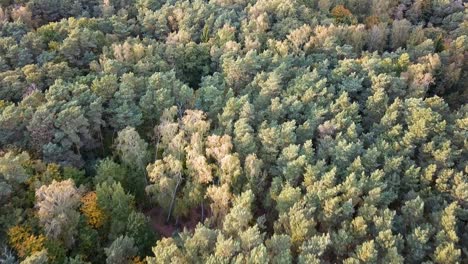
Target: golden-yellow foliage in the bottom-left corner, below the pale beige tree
{"points": [[24, 242]]}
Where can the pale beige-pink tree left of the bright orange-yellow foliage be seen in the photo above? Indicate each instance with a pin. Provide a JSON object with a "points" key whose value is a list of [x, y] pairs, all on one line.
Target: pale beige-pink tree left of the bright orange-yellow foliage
{"points": [[57, 205]]}
